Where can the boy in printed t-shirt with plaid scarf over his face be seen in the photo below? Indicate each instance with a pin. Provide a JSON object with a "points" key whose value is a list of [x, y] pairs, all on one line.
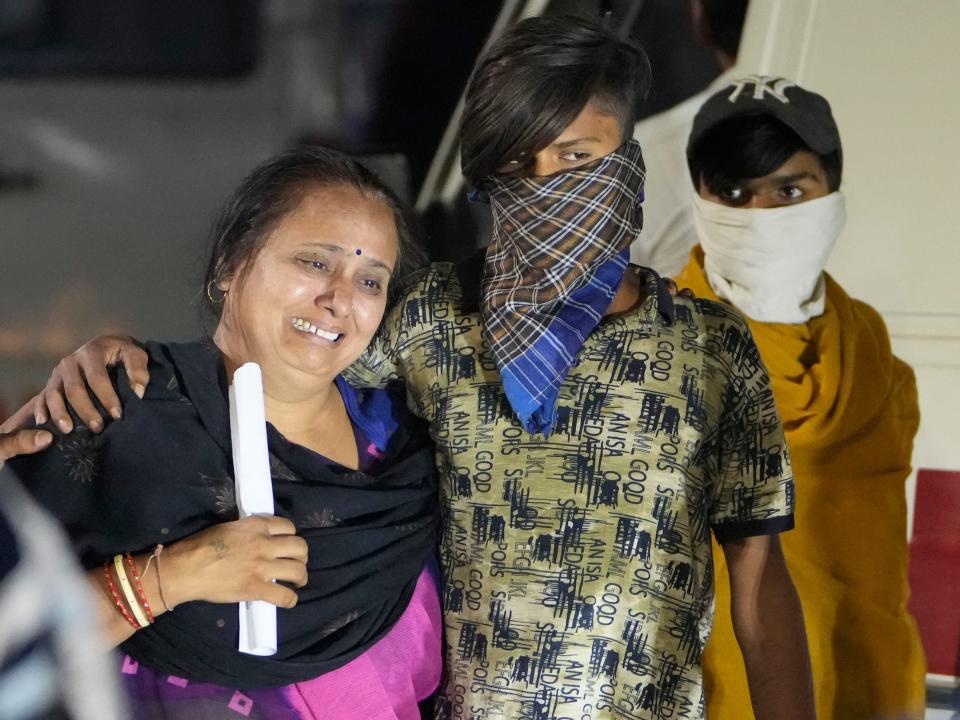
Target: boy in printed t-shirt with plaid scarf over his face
{"points": [[590, 429]]}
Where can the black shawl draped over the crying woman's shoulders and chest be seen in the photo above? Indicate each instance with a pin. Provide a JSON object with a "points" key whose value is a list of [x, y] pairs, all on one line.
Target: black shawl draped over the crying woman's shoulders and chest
{"points": [[164, 472]]}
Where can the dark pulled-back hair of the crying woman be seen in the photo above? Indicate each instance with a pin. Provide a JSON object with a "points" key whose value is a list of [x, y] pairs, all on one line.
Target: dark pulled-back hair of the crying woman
{"points": [[273, 190]]}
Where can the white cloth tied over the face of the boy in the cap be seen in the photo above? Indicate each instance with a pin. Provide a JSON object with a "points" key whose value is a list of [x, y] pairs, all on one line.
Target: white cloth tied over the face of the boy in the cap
{"points": [[768, 262]]}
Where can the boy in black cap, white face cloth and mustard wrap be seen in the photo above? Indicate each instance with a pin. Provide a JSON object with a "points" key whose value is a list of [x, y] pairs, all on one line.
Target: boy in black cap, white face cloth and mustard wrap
{"points": [[765, 158]]}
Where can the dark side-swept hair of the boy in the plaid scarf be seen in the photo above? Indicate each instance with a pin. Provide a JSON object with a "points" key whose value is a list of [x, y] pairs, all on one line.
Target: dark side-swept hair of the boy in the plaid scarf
{"points": [[534, 81]]}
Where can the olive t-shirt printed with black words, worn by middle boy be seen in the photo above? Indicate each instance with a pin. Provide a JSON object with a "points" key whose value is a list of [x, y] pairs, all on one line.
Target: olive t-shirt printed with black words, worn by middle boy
{"points": [[577, 568]]}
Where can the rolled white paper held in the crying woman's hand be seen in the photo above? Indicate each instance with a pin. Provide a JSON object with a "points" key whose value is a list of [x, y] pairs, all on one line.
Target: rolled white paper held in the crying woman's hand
{"points": [[254, 490]]}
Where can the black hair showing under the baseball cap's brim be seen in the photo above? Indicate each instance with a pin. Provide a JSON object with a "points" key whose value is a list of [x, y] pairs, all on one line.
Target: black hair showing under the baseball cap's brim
{"points": [[750, 146]]}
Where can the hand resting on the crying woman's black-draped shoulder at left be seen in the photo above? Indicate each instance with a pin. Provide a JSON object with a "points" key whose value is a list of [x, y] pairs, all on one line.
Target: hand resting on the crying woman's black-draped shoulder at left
{"points": [[85, 371]]}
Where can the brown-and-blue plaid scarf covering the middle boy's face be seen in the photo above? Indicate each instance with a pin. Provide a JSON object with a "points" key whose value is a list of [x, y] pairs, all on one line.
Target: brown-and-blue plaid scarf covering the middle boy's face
{"points": [[560, 247]]}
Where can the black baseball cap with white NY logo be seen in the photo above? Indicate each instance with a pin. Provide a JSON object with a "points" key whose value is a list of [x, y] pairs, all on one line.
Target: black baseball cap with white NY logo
{"points": [[804, 112]]}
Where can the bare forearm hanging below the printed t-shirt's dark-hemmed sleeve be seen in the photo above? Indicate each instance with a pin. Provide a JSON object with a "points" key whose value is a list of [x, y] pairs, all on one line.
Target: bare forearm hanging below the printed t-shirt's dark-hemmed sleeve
{"points": [[768, 622]]}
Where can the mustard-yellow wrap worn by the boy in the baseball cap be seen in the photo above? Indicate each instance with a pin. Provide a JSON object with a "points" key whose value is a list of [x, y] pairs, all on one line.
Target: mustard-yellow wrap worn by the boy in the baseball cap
{"points": [[850, 410]]}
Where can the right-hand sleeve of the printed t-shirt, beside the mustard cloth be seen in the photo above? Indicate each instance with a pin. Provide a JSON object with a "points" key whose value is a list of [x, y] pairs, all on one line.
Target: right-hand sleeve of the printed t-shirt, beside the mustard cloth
{"points": [[755, 492]]}
